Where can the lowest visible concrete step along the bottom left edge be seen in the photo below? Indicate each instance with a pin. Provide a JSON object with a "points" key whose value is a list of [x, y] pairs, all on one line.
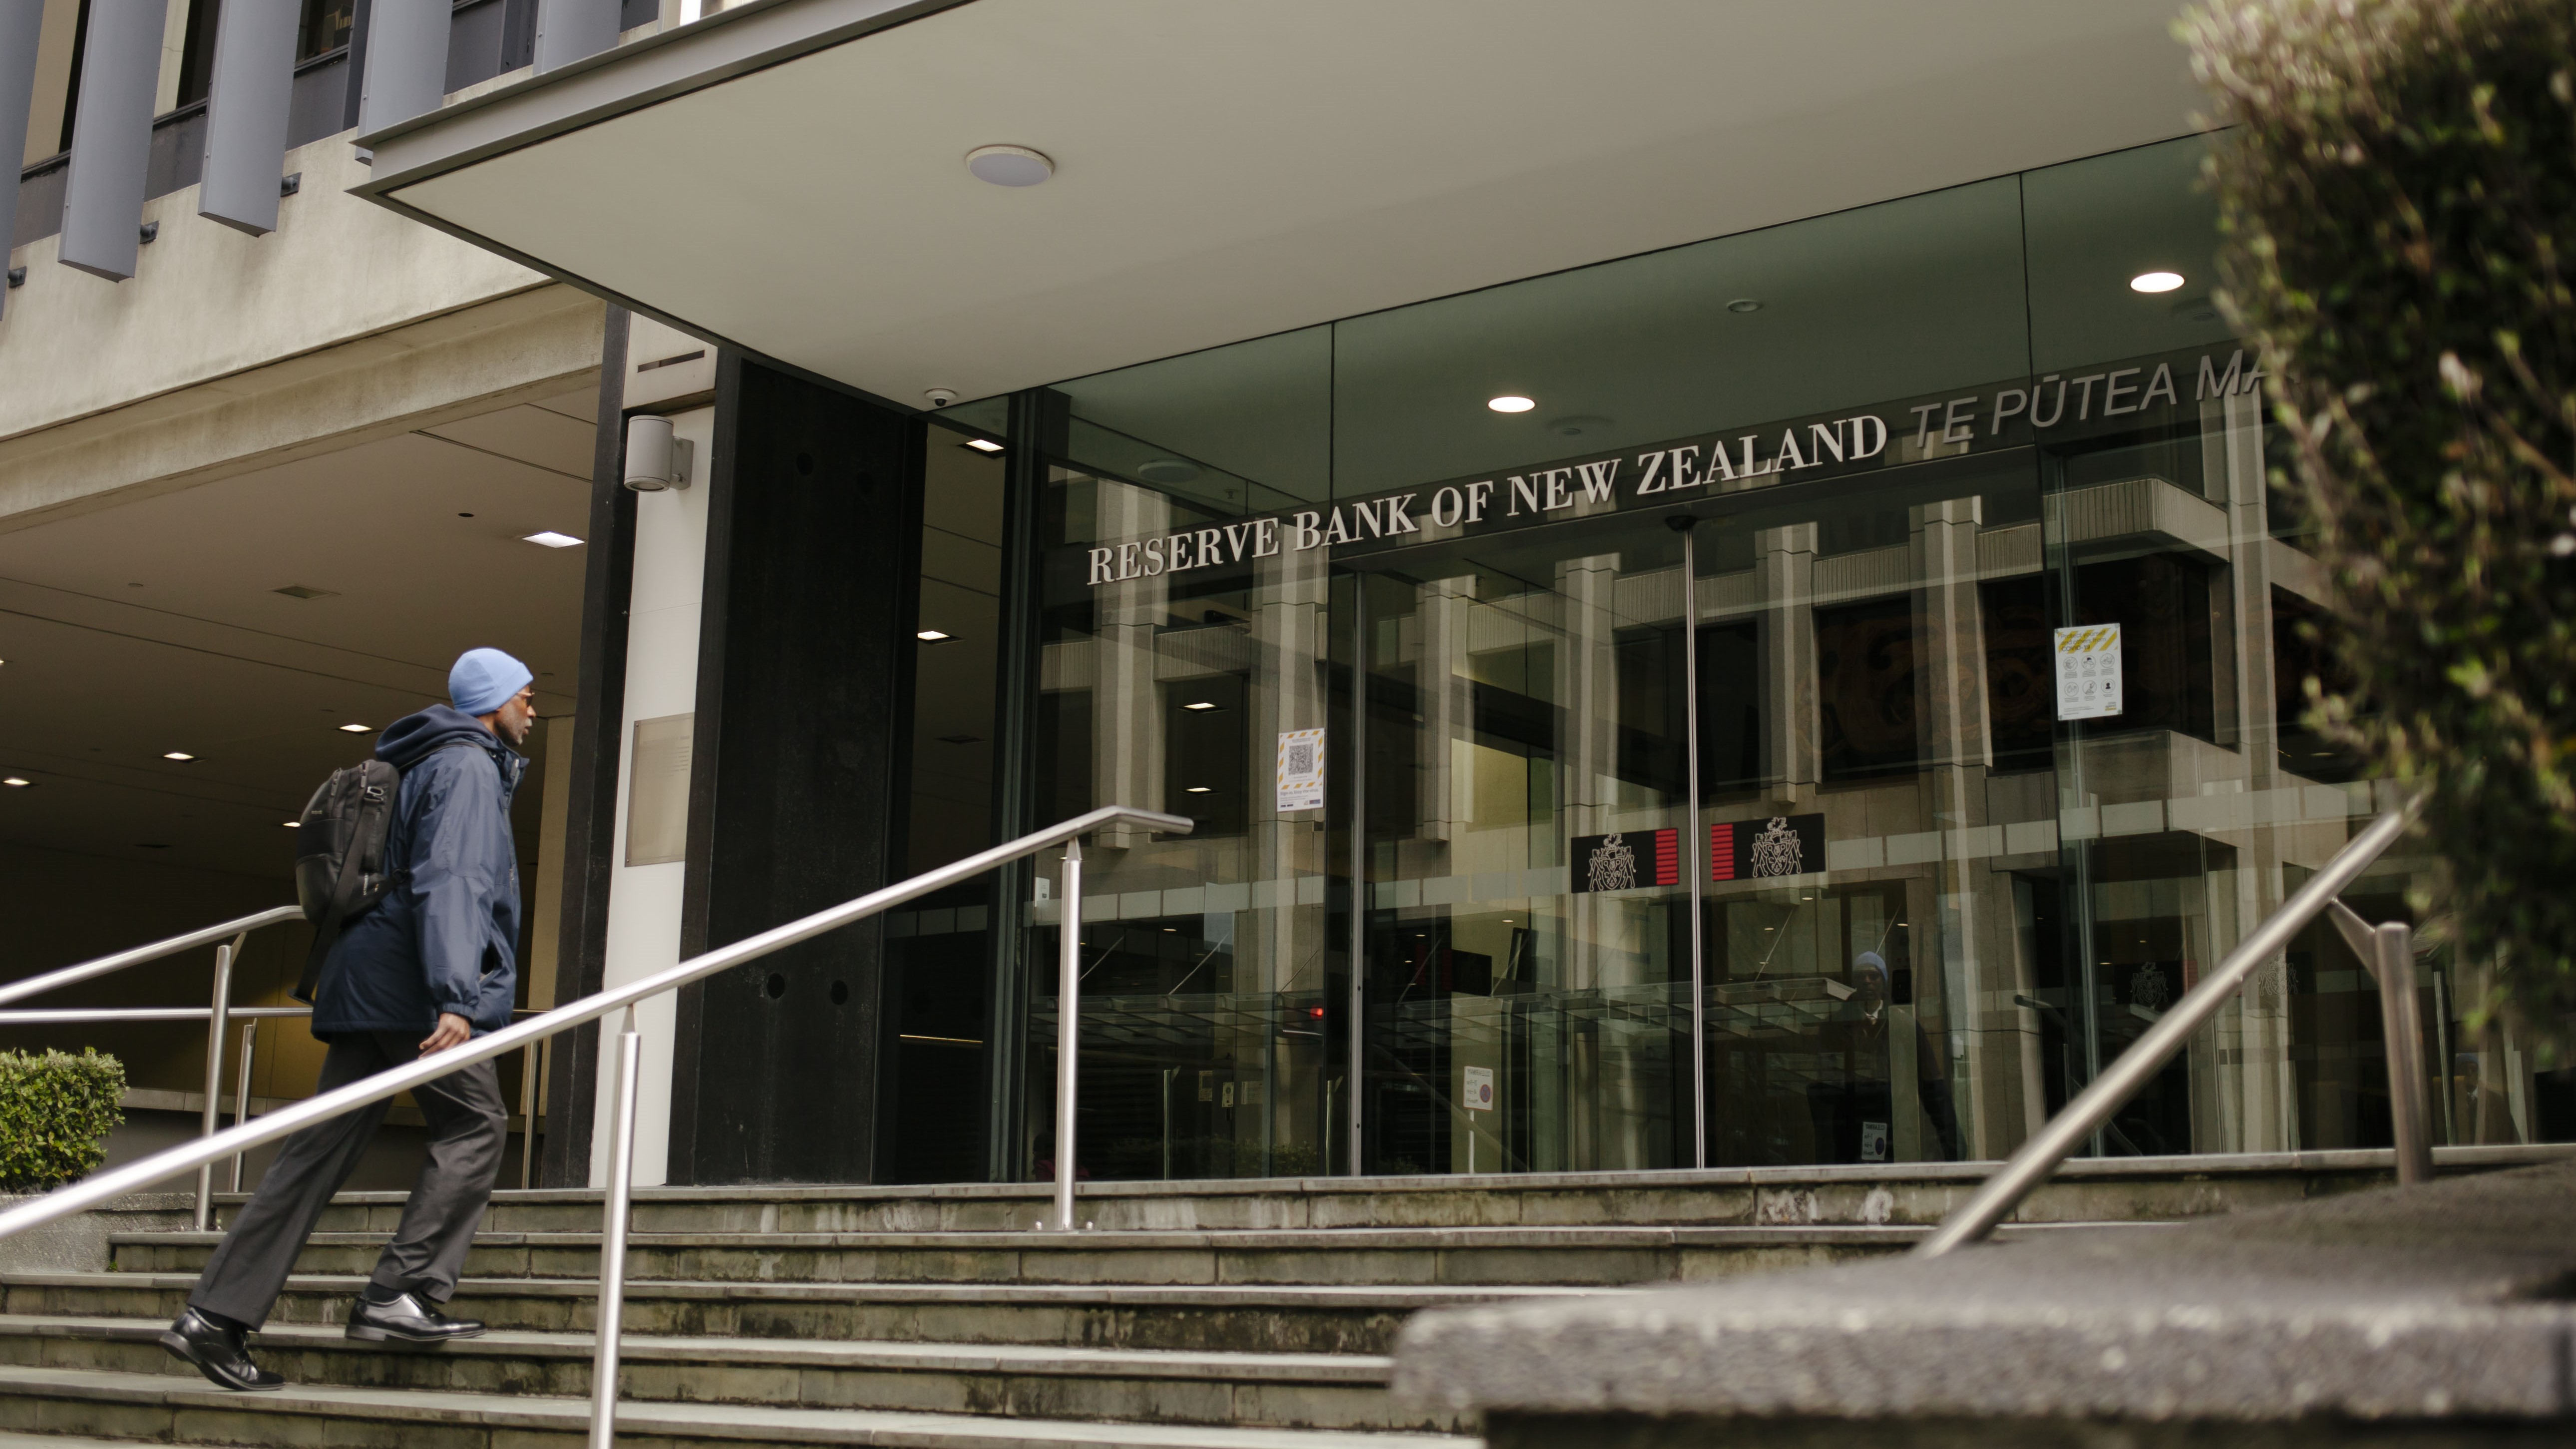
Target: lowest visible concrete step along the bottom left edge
{"points": [[192, 1412]]}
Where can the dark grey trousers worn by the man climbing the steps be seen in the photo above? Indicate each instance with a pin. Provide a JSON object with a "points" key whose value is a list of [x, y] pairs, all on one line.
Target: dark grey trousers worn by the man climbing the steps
{"points": [[468, 1136]]}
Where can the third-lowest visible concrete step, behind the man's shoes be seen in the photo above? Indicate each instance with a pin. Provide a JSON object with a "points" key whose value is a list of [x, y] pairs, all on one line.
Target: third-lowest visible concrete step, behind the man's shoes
{"points": [[1287, 1319]]}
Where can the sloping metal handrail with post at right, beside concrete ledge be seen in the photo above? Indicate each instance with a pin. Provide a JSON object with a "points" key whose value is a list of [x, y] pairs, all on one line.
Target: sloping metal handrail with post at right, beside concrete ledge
{"points": [[2389, 956]]}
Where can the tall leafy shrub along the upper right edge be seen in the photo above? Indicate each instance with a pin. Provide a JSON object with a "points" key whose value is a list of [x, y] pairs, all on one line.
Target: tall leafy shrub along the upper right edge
{"points": [[2400, 210]]}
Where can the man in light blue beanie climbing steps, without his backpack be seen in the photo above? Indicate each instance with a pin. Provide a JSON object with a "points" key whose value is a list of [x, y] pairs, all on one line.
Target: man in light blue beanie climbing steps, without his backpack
{"points": [[424, 972]]}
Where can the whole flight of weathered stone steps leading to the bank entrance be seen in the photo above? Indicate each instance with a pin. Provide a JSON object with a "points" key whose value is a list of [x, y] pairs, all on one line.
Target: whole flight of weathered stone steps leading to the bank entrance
{"points": [[1233, 1314]]}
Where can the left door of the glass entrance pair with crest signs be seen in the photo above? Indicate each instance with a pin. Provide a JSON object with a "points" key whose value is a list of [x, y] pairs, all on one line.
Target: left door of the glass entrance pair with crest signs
{"points": [[1529, 920]]}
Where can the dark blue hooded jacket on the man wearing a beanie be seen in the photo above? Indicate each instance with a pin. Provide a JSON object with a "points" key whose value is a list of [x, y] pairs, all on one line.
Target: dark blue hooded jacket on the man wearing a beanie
{"points": [[447, 936]]}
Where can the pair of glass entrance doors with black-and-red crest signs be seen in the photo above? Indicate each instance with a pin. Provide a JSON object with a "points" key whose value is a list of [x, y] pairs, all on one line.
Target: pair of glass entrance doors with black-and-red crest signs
{"points": [[1877, 802]]}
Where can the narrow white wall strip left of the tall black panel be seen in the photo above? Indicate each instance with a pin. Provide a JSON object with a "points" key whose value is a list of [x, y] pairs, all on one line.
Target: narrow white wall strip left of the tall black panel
{"points": [[645, 900]]}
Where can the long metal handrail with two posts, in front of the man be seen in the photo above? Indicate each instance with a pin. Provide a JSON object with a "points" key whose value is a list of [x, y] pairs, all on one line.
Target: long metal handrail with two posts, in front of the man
{"points": [[604, 1371]]}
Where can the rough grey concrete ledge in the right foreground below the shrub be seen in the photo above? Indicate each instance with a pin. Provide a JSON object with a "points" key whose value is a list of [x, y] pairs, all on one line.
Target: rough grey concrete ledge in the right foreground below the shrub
{"points": [[2430, 1316]]}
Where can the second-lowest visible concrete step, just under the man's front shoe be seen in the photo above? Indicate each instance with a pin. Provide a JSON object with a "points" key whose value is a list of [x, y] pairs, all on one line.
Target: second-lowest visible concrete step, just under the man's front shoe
{"points": [[1261, 1391]]}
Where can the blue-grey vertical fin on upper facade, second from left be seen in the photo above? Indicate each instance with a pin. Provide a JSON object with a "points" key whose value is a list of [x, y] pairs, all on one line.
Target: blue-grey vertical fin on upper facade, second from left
{"points": [[112, 138]]}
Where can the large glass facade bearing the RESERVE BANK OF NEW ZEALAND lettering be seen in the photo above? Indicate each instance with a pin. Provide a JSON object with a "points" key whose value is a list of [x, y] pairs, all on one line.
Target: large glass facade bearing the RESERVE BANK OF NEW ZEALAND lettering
{"points": [[1833, 719]]}
